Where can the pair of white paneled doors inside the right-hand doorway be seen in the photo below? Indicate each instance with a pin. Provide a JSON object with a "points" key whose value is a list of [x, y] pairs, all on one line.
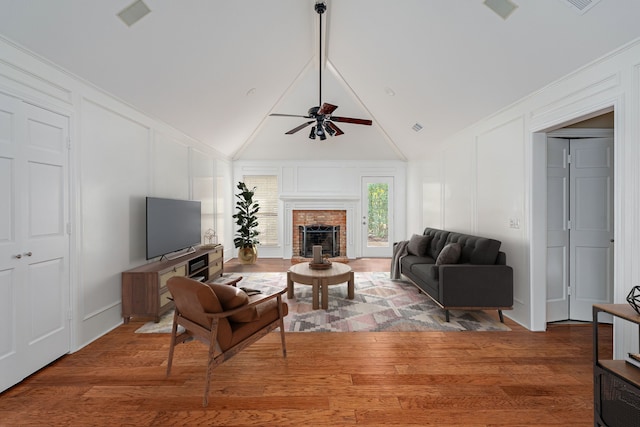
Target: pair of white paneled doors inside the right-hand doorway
{"points": [[579, 226]]}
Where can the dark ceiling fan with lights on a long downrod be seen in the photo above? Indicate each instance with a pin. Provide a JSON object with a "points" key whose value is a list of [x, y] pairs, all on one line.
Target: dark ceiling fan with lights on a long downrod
{"points": [[321, 116]]}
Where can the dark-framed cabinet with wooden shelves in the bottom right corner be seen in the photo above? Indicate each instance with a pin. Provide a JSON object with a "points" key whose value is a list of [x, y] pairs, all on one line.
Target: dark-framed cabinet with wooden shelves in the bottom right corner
{"points": [[616, 382]]}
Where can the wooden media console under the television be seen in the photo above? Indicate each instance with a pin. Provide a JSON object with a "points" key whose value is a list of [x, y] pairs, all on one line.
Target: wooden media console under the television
{"points": [[144, 288]]}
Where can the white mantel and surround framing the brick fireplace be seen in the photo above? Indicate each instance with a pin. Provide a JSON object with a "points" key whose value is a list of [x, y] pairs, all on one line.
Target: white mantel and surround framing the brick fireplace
{"points": [[350, 204]]}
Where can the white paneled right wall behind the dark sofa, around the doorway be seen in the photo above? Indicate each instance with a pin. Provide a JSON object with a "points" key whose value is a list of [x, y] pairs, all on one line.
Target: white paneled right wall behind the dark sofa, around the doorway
{"points": [[492, 179]]}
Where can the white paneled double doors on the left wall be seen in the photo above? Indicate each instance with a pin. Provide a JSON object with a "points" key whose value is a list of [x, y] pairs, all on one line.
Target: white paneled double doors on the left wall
{"points": [[34, 246]]}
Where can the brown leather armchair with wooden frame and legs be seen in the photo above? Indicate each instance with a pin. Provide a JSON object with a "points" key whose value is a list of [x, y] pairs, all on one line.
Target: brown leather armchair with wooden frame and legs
{"points": [[224, 318]]}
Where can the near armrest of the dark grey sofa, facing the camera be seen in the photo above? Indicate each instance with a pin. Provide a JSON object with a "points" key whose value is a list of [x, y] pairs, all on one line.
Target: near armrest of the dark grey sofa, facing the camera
{"points": [[469, 285]]}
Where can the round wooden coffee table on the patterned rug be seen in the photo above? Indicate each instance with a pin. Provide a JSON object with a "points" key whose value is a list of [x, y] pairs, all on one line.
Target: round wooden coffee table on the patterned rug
{"points": [[320, 278]]}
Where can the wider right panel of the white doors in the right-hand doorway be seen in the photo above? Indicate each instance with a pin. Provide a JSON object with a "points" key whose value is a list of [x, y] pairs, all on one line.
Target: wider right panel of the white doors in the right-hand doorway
{"points": [[591, 204]]}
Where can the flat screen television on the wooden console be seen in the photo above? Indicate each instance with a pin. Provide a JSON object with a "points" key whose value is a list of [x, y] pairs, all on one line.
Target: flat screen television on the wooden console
{"points": [[172, 225]]}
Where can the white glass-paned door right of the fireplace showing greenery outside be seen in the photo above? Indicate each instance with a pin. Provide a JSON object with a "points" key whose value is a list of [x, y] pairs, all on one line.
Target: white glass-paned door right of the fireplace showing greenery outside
{"points": [[377, 216]]}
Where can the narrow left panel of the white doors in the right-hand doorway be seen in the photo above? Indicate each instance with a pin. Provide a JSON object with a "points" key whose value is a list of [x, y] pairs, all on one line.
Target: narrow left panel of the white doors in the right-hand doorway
{"points": [[557, 229]]}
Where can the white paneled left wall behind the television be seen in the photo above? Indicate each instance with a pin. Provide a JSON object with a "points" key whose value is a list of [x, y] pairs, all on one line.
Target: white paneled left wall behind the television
{"points": [[118, 156]]}
